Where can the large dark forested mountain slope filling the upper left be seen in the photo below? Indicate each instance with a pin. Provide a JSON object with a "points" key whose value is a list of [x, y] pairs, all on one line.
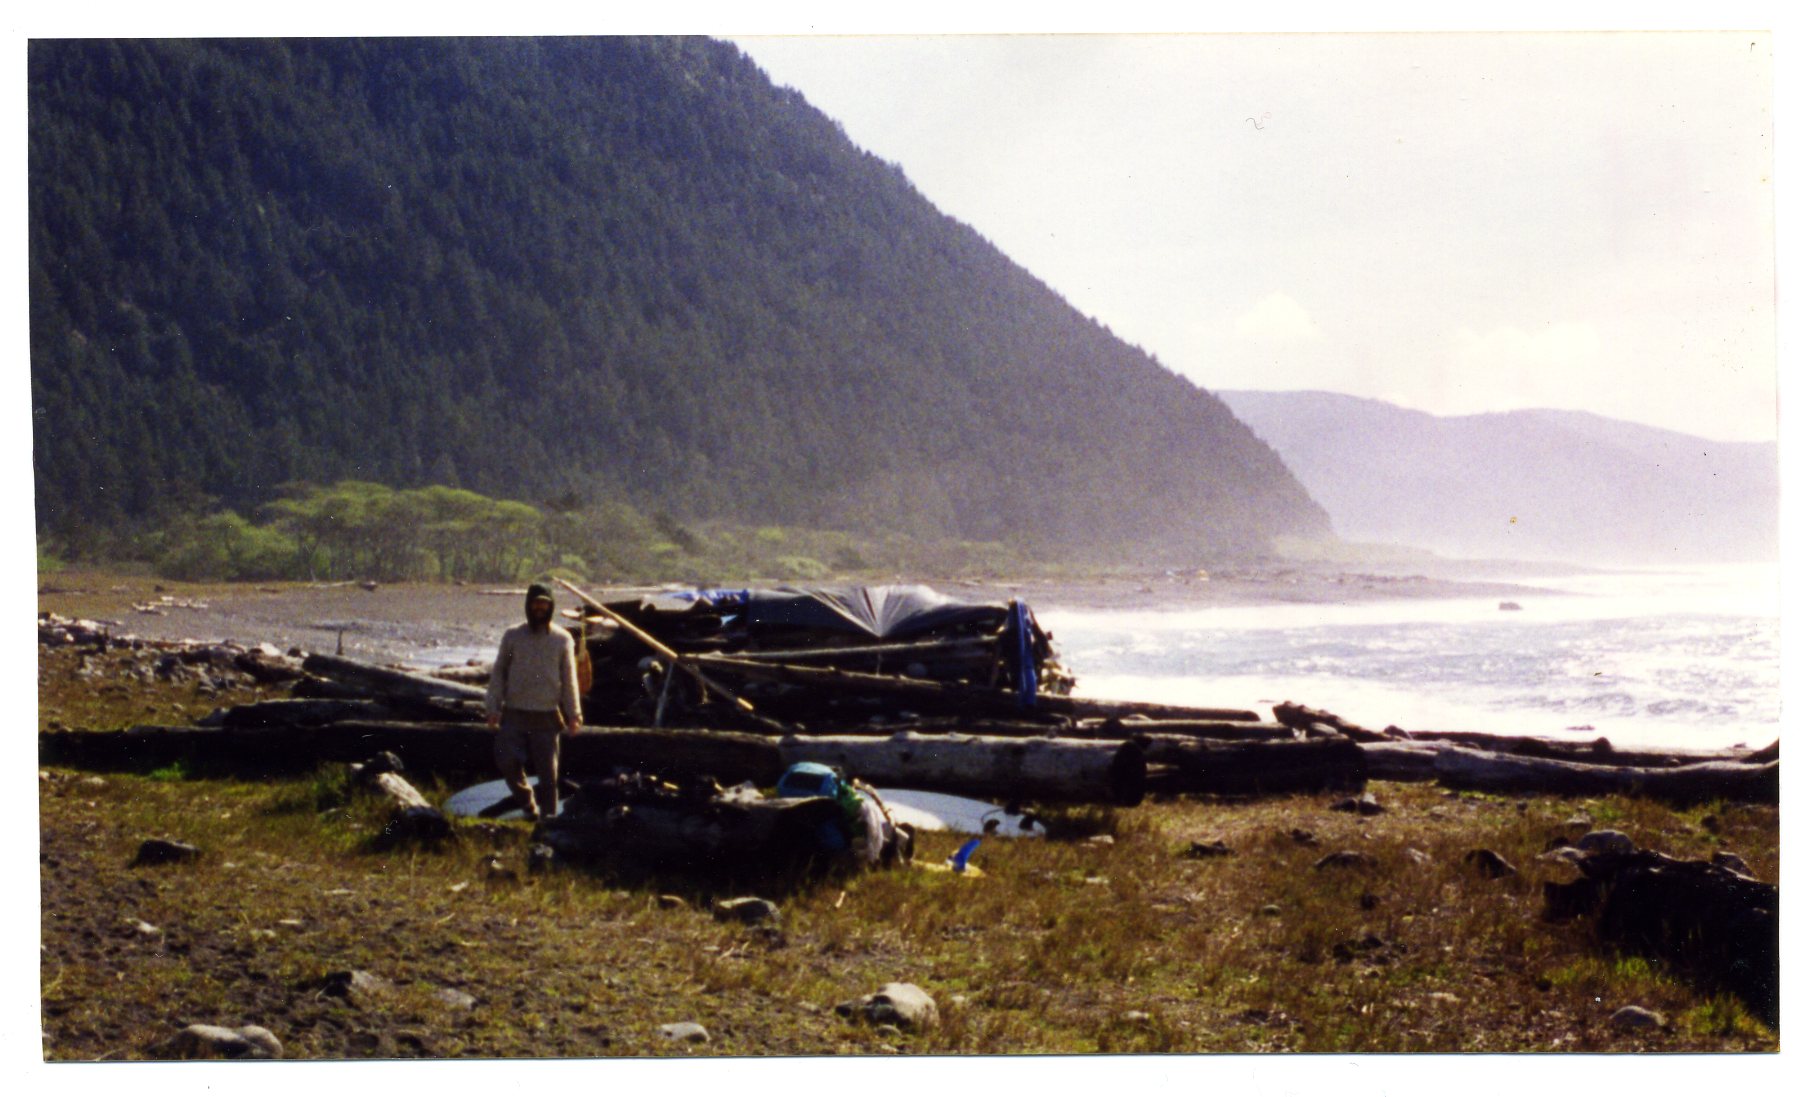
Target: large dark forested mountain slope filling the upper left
{"points": [[567, 272]]}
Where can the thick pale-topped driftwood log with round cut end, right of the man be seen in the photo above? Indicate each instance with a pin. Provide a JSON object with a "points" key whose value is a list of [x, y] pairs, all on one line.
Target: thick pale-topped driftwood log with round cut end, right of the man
{"points": [[1068, 771]]}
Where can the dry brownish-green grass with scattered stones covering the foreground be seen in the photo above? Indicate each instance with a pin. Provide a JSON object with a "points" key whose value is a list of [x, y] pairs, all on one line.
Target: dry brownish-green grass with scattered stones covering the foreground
{"points": [[1063, 947]]}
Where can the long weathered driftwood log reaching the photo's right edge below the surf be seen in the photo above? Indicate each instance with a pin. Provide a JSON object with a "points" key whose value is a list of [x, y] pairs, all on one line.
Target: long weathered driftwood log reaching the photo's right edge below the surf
{"points": [[1462, 767]]}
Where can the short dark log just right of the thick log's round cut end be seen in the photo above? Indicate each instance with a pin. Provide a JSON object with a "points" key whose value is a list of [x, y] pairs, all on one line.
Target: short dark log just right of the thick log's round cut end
{"points": [[1259, 767]]}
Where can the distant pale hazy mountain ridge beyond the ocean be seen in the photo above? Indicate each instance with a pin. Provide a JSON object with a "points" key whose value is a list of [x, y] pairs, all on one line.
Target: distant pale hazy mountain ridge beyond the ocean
{"points": [[1526, 486]]}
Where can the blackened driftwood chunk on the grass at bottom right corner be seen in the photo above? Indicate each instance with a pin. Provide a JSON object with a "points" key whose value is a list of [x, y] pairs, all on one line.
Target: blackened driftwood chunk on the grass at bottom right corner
{"points": [[1711, 924]]}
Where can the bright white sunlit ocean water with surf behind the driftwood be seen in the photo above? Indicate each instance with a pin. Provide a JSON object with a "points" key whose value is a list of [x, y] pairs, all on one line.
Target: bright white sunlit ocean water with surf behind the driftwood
{"points": [[1685, 658]]}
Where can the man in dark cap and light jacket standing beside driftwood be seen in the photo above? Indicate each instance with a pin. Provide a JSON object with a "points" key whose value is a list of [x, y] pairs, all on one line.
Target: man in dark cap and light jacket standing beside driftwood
{"points": [[533, 700]]}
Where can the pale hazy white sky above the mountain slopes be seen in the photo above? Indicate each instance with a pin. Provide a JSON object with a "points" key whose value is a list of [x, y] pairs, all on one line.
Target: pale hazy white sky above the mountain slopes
{"points": [[1451, 222]]}
